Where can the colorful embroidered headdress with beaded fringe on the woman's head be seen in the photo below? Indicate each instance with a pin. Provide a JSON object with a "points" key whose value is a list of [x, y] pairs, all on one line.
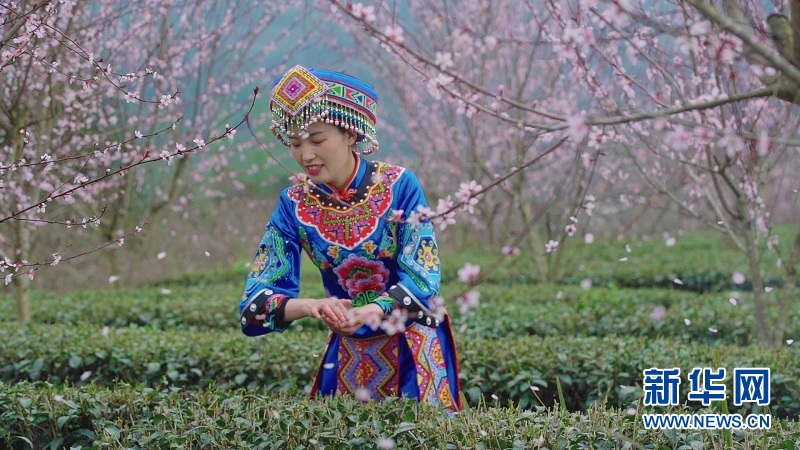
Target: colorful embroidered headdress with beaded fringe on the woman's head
{"points": [[303, 96]]}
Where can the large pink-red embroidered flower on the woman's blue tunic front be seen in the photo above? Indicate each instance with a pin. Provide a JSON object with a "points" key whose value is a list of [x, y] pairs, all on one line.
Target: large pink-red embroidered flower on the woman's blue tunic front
{"points": [[363, 279]]}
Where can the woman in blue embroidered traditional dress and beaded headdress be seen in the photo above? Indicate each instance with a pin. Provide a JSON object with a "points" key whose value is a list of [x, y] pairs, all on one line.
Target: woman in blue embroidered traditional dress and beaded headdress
{"points": [[350, 216]]}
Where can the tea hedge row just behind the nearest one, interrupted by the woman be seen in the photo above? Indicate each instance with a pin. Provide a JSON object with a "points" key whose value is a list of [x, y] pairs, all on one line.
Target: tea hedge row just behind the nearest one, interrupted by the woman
{"points": [[518, 369]]}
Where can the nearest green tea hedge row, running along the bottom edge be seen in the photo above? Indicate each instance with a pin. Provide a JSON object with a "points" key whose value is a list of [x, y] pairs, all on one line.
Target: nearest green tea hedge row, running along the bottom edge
{"points": [[45, 416]]}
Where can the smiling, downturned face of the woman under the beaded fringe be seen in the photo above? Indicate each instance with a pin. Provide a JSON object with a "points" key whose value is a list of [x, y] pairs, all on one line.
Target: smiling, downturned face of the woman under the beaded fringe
{"points": [[324, 154]]}
